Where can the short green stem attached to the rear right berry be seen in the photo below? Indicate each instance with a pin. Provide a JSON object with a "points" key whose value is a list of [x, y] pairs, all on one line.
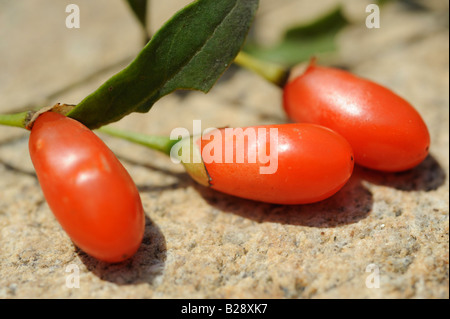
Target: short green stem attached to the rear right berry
{"points": [[272, 72]]}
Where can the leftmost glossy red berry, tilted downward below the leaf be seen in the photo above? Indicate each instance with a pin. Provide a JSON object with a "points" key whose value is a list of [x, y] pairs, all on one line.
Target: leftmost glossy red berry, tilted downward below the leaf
{"points": [[87, 188]]}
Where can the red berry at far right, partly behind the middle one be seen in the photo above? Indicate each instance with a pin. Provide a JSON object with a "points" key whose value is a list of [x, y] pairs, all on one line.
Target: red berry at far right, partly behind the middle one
{"points": [[385, 131]]}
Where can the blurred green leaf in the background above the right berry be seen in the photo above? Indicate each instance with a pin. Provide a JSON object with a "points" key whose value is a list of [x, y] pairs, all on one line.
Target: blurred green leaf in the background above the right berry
{"points": [[301, 42]]}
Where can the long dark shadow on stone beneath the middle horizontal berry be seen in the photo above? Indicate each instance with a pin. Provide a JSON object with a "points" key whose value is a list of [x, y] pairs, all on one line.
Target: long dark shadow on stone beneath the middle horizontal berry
{"points": [[351, 204]]}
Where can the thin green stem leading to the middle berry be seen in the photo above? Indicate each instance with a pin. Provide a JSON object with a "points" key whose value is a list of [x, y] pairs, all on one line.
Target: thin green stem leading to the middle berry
{"points": [[160, 143]]}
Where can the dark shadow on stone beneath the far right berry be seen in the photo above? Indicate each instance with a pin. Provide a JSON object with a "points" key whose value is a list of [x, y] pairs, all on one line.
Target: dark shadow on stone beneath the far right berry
{"points": [[427, 176]]}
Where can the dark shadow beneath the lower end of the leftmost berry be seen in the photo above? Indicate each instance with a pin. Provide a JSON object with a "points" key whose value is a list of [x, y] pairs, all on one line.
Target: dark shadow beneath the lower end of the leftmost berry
{"points": [[143, 267]]}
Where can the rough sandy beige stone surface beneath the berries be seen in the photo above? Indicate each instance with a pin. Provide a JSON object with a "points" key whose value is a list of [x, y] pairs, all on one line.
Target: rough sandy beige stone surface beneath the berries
{"points": [[203, 244]]}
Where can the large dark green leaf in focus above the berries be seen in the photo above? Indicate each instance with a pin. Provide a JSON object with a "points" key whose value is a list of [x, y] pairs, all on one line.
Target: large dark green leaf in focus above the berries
{"points": [[190, 51]]}
